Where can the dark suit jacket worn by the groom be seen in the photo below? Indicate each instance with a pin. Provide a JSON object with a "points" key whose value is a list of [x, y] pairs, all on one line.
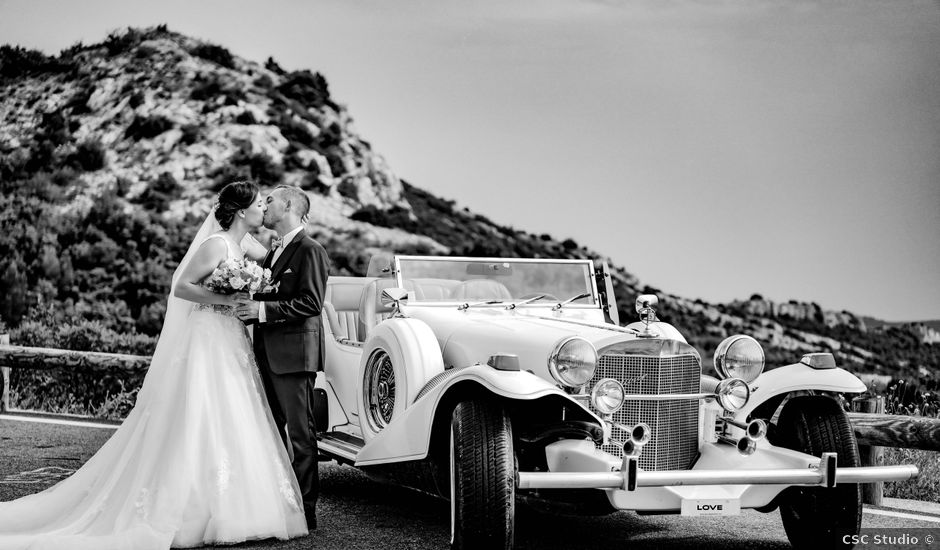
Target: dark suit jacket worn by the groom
{"points": [[292, 335]]}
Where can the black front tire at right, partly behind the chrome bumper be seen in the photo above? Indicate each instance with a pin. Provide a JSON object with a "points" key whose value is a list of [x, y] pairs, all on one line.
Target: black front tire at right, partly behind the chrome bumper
{"points": [[819, 516]]}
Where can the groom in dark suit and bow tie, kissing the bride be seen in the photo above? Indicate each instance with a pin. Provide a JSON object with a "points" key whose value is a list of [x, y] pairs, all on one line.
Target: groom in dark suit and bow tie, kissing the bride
{"points": [[288, 338]]}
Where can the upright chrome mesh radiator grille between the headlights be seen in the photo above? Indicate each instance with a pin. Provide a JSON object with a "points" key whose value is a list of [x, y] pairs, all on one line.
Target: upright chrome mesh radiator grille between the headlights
{"points": [[674, 425]]}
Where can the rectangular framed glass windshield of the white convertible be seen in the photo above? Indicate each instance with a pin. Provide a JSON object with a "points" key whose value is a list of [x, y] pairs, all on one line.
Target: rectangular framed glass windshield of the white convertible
{"points": [[503, 280]]}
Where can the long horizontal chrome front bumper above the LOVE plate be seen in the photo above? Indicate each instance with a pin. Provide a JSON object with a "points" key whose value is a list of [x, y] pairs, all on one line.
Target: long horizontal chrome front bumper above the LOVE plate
{"points": [[825, 474]]}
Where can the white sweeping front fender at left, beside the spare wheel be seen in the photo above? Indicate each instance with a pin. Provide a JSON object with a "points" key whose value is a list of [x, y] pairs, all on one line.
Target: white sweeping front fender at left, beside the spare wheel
{"points": [[408, 437]]}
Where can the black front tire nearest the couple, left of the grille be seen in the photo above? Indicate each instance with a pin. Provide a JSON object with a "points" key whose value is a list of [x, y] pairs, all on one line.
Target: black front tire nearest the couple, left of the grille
{"points": [[482, 477]]}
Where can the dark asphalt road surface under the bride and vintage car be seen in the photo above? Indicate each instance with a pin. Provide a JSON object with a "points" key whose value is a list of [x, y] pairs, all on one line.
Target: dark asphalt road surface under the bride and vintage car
{"points": [[358, 513]]}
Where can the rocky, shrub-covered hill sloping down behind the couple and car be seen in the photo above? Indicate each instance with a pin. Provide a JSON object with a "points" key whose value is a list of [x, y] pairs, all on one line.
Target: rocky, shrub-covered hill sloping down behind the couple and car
{"points": [[110, 153]]}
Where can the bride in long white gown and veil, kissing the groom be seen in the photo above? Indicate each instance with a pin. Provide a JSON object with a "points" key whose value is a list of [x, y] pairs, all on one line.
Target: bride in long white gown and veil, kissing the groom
{"points": [[198, 460]]}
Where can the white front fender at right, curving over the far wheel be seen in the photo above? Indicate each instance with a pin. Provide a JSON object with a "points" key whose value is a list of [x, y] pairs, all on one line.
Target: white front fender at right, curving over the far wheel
{"points": [[799, 377]]}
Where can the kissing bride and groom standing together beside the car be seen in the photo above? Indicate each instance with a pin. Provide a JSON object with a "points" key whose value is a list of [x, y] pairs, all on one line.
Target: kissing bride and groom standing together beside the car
{"points": [[203, 458]]}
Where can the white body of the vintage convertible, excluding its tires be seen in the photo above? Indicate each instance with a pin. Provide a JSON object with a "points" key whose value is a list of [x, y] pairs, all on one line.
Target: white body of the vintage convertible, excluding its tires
{"points": [[439, 340]]}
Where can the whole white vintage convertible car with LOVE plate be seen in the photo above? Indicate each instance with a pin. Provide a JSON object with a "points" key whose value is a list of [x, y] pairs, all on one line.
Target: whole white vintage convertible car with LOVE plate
{"points": [[489, 381]]}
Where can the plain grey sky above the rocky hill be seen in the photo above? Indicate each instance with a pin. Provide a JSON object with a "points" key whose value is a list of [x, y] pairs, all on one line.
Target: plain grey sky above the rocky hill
{"points": [[715, 149]]}
